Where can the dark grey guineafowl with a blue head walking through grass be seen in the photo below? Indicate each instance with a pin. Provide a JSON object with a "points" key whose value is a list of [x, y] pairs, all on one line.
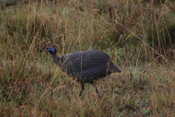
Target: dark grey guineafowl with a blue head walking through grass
{"points": [[85, 66]]}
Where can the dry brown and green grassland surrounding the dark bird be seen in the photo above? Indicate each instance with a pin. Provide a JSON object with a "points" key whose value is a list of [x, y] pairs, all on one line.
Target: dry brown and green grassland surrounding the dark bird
{"points": [[138, 35]]}
